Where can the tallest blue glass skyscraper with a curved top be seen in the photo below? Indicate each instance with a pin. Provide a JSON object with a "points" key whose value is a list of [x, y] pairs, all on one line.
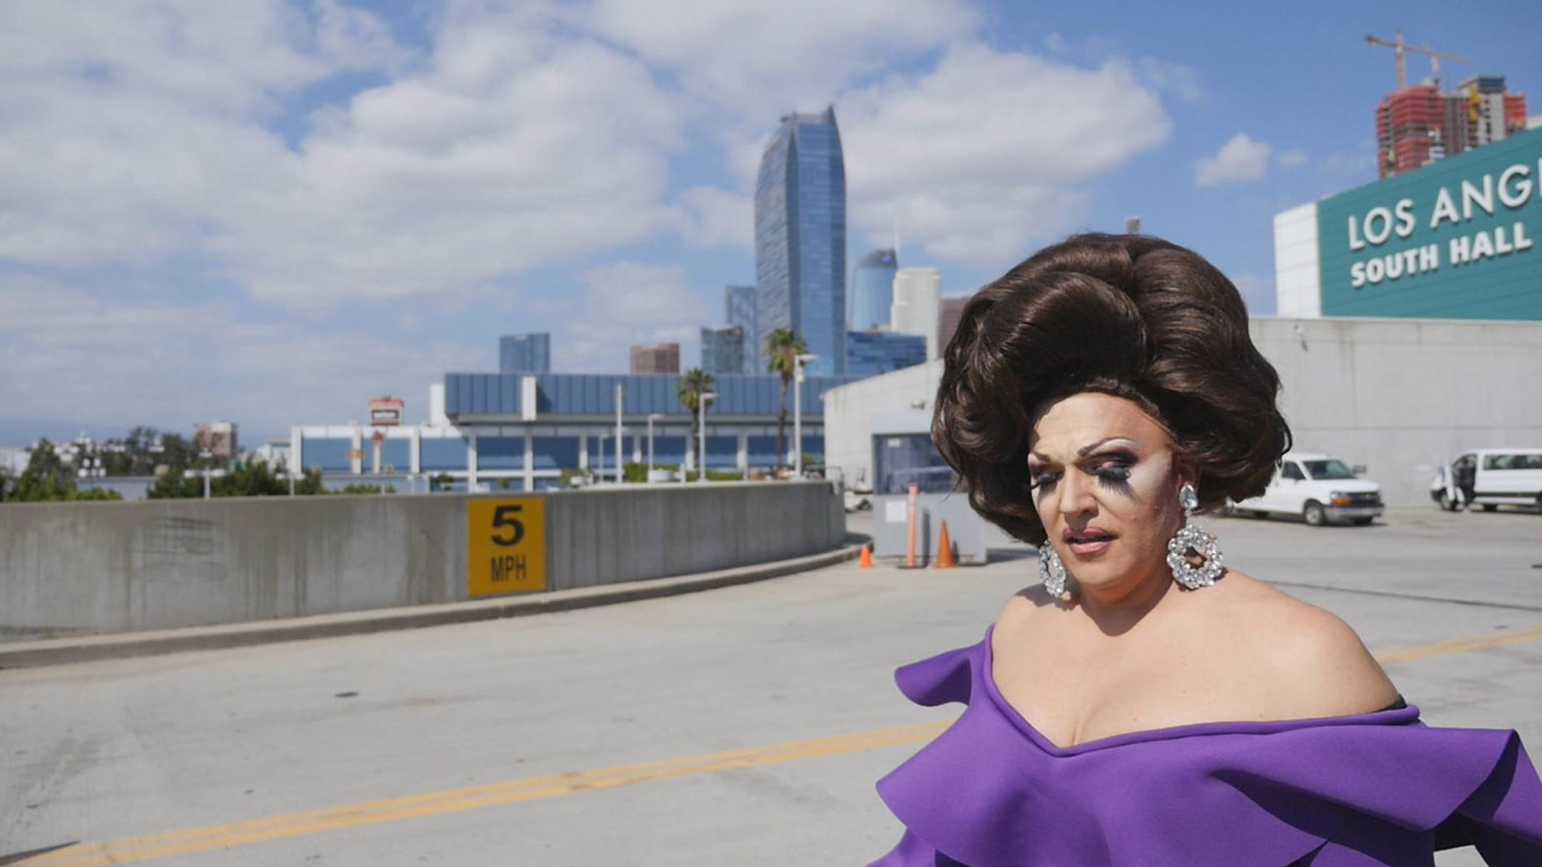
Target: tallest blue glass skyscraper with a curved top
{"points": [[801, 238]]}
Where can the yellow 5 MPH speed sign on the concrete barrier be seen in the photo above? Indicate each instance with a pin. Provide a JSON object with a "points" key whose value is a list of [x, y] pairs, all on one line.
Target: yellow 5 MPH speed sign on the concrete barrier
{"points": [[505, 545]]}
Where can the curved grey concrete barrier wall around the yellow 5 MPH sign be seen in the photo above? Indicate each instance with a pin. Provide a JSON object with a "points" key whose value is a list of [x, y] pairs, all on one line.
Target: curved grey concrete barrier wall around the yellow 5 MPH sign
{"points": [[81, 568]]}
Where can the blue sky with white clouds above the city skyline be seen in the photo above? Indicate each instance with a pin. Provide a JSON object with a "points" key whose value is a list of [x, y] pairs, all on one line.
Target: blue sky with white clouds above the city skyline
{"points": [[271, 211]]}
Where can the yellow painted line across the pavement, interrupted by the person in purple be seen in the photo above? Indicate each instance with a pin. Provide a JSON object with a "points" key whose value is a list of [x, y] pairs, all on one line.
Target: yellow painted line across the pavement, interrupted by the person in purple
{"points": [[207, 838]]}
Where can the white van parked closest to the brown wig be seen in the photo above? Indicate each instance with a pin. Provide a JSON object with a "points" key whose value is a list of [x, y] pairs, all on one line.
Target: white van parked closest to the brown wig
{"points": [[1319, 488]]}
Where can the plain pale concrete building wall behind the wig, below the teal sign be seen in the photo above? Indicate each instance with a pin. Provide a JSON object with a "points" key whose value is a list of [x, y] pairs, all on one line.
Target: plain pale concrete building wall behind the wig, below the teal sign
{"points": [[1398, 396]]}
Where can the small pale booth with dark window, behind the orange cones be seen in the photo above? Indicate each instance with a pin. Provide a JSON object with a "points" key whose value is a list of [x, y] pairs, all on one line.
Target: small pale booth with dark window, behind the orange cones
{"points": [[904, 454]]}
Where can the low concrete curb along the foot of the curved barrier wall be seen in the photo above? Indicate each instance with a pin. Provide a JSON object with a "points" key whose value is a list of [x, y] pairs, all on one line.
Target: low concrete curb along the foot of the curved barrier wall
{"points": [[123, 646]]}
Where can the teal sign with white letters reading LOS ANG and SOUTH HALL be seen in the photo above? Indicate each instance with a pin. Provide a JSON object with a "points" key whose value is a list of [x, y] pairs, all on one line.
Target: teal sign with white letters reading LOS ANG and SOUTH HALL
{"points": [[1456, 240]]}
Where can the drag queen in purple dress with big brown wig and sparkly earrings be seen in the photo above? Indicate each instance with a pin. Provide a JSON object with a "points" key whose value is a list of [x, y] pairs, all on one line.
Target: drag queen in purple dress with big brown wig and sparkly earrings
{"points": [[1145, 706]]}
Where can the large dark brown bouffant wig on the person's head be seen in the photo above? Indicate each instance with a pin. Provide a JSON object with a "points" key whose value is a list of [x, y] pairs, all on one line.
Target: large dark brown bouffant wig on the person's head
{"points": [[1125, 315]]}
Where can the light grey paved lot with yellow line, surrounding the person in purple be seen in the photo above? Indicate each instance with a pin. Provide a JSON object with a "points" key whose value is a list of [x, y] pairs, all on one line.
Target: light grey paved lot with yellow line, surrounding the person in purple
{"points": [[744, 726]]}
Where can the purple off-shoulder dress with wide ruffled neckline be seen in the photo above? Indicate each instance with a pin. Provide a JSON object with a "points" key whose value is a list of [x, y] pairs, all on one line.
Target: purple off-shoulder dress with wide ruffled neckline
{"points": [[1369, 791]]}
